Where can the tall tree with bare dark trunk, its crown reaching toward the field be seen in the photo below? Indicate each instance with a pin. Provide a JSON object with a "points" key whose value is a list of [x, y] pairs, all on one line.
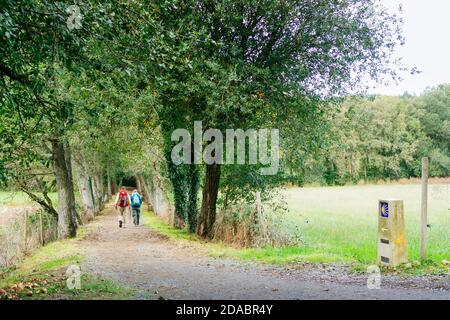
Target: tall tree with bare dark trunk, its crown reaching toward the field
{"points": [[283, 52]]}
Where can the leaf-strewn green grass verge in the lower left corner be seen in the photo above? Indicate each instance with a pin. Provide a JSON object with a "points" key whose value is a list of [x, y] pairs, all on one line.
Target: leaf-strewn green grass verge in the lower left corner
{"points": [[42, 275]]}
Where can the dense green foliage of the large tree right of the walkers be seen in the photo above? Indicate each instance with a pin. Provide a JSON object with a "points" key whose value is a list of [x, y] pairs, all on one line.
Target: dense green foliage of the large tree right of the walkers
{"points": [[253, 64]]}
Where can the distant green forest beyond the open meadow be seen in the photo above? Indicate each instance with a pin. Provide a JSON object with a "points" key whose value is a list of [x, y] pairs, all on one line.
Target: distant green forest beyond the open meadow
{"points": [[379, 138]]}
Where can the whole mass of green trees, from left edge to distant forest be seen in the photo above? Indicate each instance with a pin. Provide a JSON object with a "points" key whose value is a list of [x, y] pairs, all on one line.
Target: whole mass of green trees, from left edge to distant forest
{"points": [[87, 102]]}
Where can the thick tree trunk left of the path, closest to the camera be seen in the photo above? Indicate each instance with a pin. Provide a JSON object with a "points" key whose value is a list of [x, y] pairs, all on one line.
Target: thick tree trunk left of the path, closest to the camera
{"points": [[66, 198]]}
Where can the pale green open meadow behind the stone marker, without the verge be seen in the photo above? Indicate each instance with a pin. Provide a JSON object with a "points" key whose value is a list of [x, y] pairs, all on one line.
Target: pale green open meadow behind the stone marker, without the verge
{"points": [[342, 221]]}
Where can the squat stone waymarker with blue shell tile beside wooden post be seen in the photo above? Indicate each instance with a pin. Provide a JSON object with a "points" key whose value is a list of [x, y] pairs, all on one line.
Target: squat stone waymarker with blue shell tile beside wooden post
{"points": [[392, 248]]}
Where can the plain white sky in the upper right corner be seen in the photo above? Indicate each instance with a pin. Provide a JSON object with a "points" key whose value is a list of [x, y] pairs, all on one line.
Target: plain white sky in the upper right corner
{"points": [[427, 32]]}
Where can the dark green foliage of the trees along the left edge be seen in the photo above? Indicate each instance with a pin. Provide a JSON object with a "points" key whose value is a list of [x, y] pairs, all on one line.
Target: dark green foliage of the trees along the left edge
{"points": [[36, 46]]}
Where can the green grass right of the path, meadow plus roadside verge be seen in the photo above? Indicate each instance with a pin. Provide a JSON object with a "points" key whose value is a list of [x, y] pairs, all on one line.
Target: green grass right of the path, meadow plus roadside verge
{"points": [[339, 225]]}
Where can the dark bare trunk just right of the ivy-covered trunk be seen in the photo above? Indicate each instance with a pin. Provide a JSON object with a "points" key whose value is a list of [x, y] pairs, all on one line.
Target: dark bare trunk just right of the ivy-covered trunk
{"points": [[209, 200]]}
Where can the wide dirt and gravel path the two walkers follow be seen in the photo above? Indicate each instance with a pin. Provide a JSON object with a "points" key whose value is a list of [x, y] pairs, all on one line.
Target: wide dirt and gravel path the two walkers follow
{"points": [[139, 258]]}
